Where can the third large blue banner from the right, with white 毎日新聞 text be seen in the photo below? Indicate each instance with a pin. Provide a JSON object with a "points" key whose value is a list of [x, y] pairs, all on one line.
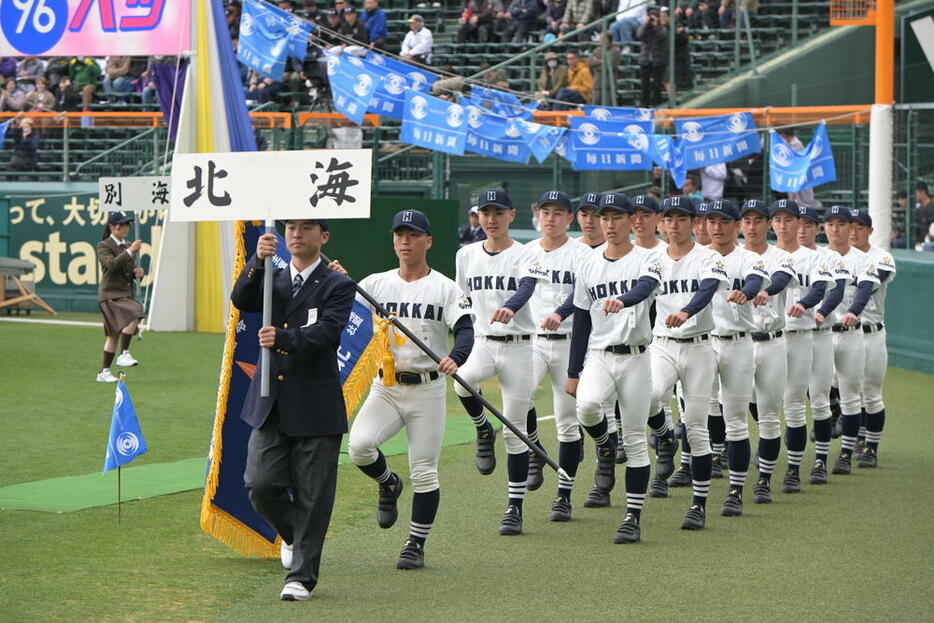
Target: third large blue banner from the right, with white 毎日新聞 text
{"points": [[609, 145]]}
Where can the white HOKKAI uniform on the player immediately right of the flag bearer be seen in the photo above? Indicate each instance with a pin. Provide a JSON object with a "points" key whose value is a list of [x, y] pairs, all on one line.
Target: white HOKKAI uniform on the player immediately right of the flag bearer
{"points": [[501, 349]]}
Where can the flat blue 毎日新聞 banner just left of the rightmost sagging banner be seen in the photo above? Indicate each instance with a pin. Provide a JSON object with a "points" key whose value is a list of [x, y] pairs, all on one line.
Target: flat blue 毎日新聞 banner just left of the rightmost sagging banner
{"points": [[717, 139]]}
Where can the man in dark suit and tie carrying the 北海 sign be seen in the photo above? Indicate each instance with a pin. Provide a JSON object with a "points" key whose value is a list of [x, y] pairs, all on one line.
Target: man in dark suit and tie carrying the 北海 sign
{"points": [[297, 430]]}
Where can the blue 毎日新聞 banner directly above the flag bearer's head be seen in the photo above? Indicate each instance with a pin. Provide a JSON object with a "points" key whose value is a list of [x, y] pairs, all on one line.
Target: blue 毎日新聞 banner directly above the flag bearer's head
{"points": [[434, 123]]}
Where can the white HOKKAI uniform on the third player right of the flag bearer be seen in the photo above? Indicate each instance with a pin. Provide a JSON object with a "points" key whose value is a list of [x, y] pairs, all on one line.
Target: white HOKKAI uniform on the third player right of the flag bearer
{"points": [[622, 377]]}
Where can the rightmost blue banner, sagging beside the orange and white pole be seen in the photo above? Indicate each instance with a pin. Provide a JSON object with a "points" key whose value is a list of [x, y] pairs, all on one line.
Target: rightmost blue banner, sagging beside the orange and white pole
{"points": [[791, 171]]}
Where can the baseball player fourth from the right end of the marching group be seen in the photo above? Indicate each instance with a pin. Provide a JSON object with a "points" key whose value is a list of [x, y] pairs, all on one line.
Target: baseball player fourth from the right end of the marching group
{"points": [[809, 289]]}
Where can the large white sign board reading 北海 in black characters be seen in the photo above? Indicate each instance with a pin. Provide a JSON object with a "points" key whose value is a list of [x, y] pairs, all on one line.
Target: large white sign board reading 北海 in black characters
{"points": [[240, 186]]}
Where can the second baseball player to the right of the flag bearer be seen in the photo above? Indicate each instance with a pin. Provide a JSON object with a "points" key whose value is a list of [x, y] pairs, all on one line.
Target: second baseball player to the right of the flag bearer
{"points": [[554, 260]]}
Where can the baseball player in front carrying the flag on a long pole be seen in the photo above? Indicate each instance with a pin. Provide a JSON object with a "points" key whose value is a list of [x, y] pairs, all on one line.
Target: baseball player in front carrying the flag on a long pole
{"points": [[427, 303]]}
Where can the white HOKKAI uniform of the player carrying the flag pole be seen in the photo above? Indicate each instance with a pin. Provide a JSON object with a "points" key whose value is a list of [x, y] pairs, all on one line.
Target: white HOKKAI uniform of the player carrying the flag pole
{"points": [[428, 307]]}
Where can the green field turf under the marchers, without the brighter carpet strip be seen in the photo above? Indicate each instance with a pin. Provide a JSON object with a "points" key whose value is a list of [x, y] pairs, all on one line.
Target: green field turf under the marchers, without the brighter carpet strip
{"points": [[858, 549]]}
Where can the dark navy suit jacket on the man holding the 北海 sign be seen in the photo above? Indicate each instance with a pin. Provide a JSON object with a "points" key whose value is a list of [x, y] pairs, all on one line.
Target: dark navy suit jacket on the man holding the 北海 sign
{"points": [[304, 382]]}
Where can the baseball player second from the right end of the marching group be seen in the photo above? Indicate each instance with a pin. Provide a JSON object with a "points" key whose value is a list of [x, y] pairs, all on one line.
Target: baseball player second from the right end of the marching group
{"points": [[849, 351]]}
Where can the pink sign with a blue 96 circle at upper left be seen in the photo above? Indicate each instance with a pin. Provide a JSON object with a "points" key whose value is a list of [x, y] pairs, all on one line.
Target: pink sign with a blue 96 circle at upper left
{"points": [[94, 27]]}
